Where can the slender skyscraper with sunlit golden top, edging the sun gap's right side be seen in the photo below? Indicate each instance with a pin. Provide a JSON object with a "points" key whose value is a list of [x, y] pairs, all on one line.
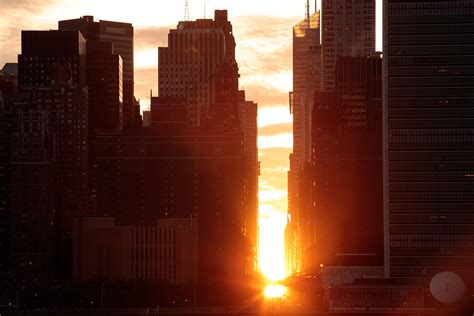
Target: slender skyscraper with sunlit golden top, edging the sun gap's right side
{"points": [[306, 80]]}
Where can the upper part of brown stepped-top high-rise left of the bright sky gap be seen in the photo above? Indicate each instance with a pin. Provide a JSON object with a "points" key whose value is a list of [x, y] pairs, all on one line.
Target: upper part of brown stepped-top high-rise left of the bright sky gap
{"points": [[195, 53]]}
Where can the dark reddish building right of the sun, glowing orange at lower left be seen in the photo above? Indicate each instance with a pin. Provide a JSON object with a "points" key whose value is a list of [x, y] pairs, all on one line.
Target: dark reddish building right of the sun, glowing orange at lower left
{"points": [[344, 227]]}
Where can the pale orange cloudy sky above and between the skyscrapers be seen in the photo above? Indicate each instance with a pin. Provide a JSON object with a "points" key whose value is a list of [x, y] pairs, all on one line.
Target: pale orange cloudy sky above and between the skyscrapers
{"points": [[263, 31]]}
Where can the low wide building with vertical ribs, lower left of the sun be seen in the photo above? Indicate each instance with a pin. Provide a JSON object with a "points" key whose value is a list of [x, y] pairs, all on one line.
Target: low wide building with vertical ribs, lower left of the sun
{"points": [[165, 251]]}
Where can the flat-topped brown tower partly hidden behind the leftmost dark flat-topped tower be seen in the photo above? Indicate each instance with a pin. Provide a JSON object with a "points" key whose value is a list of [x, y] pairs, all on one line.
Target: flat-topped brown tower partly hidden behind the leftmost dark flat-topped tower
{"points": [[120, 35]]}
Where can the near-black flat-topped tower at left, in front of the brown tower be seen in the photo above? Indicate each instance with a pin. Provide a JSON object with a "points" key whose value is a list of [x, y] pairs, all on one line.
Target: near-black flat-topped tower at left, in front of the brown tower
{"points": [[52, 79]]}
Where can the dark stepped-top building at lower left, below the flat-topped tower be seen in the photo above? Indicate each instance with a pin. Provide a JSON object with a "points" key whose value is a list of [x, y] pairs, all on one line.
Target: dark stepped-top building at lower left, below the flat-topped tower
{"points": [[32, 198]]}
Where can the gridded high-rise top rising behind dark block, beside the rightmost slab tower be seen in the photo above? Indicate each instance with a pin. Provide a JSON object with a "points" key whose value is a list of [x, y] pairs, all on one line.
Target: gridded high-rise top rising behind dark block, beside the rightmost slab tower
{"points": [[348, 29]]}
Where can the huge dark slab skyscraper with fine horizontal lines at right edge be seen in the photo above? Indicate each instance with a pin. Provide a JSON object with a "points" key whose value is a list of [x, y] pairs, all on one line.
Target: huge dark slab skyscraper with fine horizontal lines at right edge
{"points": [[428, 130]]}
